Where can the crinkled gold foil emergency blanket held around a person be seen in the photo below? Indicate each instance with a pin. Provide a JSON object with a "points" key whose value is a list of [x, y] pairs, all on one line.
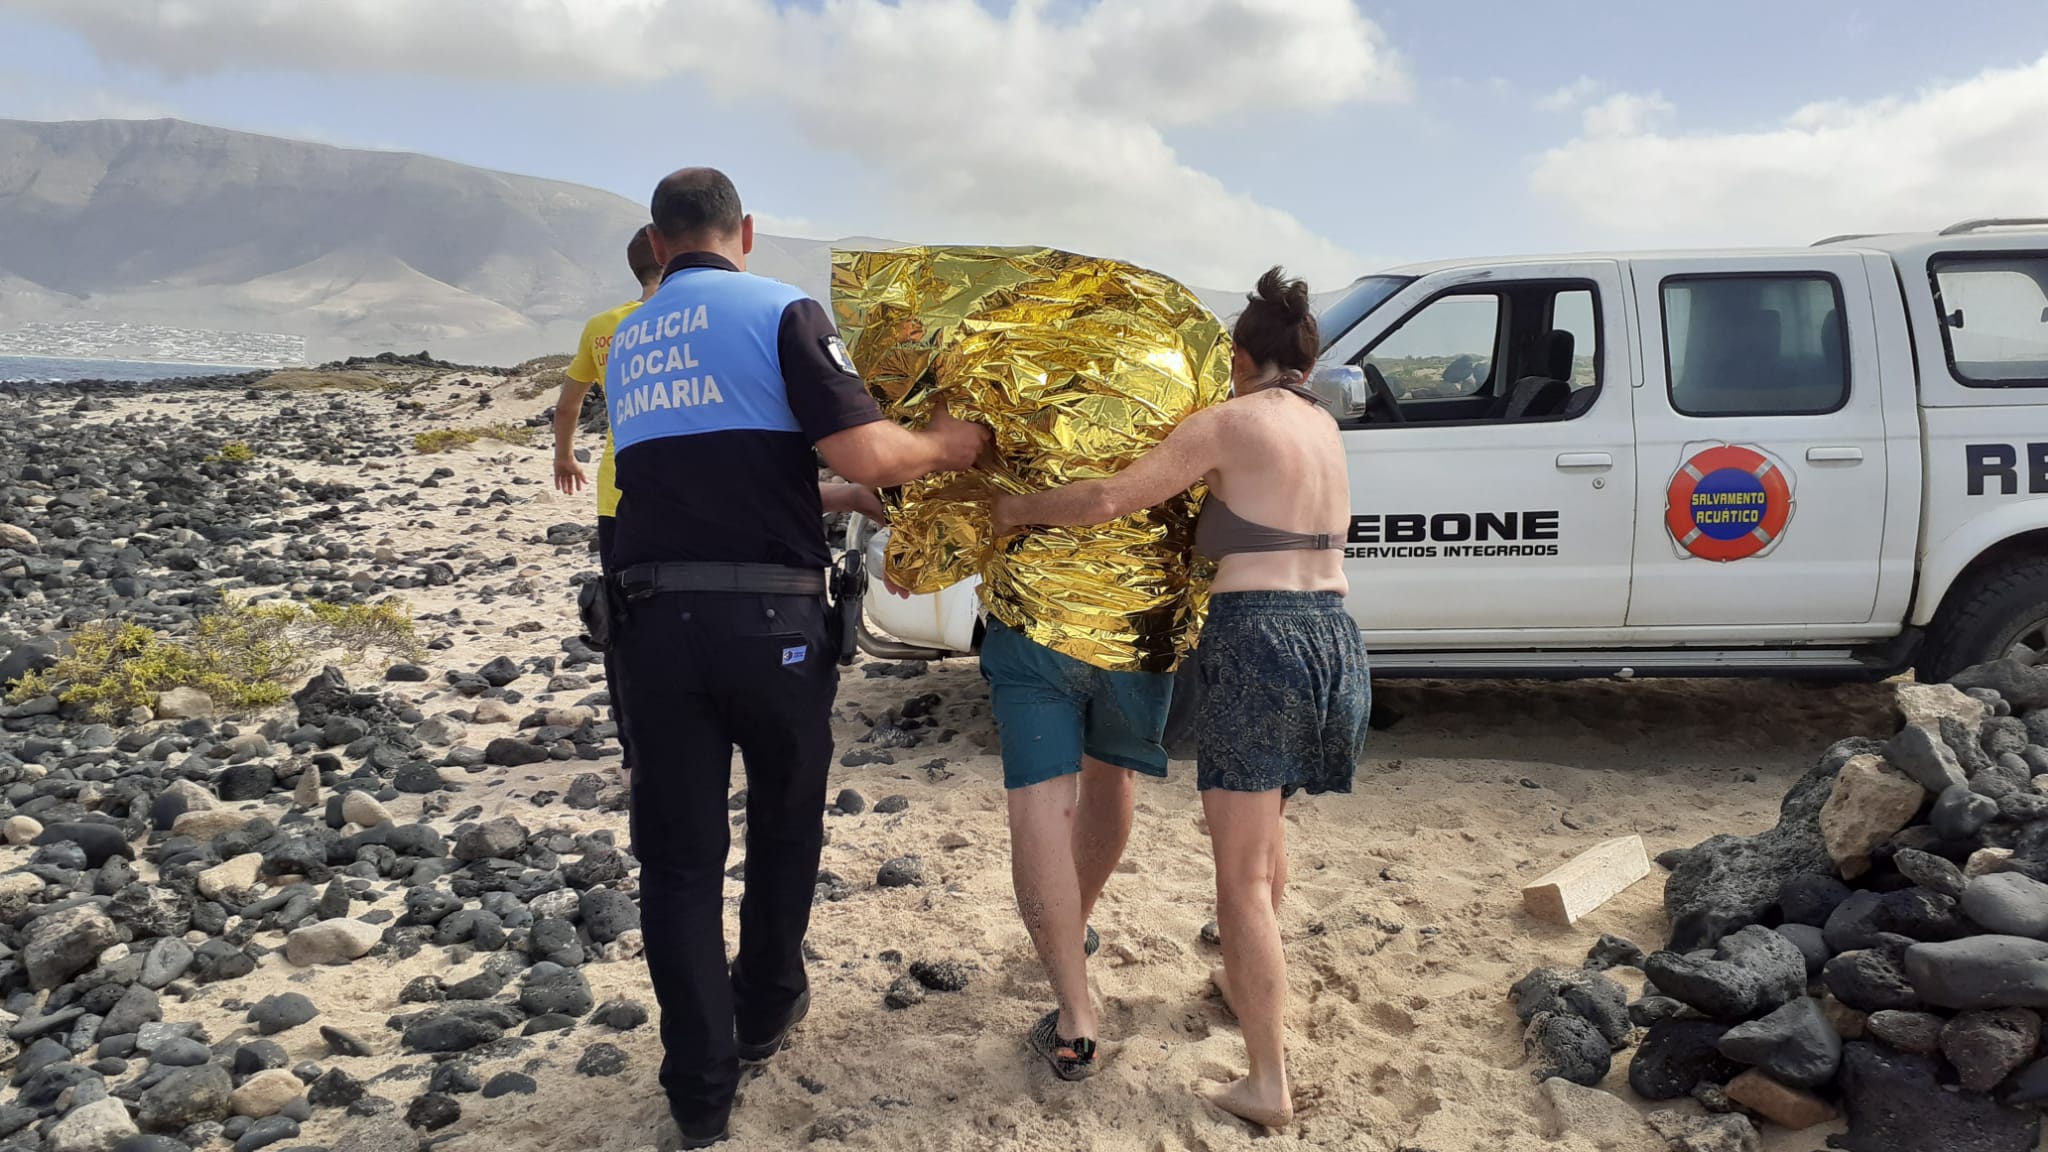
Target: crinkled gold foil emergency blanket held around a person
{"points": [[1078, 366]]}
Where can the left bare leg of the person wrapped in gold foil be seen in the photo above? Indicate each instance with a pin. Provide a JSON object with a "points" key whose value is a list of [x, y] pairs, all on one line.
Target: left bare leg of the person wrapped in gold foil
{"points": [[1050, 895]]}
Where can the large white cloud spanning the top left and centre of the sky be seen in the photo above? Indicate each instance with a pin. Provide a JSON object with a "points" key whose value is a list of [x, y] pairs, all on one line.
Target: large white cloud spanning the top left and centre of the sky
{"points": [[1031, 126]]}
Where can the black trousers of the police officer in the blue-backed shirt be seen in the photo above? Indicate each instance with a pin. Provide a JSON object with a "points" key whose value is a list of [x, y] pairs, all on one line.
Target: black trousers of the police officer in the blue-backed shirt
{"points": [[703, 673]]}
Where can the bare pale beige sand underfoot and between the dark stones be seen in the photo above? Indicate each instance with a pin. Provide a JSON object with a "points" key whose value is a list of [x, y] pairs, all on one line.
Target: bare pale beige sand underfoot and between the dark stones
{"points": [[1404, 923]]}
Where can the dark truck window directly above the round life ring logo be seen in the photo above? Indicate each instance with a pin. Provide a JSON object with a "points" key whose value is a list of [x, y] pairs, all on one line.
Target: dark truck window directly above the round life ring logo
{"points": [[1756, 345]]}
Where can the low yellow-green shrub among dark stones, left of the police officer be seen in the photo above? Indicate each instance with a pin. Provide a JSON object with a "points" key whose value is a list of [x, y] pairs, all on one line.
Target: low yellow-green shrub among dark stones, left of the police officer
{"points": [[245, 657]]}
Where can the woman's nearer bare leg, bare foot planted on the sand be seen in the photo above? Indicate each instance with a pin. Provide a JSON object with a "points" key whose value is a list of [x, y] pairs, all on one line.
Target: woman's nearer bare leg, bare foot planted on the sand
{"points": [[1244, 831]]}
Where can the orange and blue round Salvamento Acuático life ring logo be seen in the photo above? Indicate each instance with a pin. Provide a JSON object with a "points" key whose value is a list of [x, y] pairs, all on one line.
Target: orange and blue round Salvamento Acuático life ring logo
{"points": [[1730, 503]]}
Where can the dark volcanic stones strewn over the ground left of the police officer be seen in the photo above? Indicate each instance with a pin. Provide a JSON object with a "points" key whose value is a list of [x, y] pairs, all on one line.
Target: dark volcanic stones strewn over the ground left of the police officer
{"points": [[169, 858]]}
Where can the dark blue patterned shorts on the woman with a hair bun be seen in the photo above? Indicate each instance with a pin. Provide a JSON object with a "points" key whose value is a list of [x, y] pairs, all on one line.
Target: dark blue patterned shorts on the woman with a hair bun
{"points": [[1285, 694]]}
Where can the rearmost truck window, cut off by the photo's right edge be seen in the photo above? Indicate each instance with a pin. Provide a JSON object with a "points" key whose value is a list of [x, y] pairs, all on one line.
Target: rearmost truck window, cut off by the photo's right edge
{"points": [[1994, 317]]}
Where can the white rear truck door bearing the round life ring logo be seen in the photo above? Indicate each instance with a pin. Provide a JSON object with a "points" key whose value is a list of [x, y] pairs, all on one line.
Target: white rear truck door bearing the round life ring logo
{"points": [[1760, 442]]}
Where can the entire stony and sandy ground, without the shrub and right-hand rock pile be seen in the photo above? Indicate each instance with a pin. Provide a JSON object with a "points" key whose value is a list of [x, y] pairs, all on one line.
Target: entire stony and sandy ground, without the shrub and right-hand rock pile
{"points": [[396, 909]]}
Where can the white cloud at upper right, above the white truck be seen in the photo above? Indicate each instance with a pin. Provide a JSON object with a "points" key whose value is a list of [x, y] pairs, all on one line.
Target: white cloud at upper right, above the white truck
{"points": [[1902, 163]]}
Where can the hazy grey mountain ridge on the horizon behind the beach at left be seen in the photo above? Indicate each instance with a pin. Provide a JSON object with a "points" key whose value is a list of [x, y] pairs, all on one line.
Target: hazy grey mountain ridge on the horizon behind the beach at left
{"points": [[355, 251]]}
